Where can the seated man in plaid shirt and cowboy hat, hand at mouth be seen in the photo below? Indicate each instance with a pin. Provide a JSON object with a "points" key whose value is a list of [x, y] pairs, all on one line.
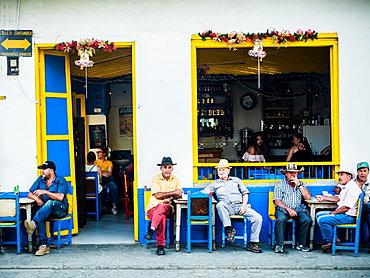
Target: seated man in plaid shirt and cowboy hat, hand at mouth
{"points": [[288, 196]]}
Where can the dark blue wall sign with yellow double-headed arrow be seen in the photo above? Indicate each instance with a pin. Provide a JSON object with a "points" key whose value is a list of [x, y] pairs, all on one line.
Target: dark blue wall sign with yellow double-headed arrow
{"points": [[16, 43]]}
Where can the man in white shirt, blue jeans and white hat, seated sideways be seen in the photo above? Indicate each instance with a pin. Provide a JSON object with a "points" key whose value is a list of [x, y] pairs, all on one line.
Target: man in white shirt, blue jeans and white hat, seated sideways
{"points": [[346, 211]]}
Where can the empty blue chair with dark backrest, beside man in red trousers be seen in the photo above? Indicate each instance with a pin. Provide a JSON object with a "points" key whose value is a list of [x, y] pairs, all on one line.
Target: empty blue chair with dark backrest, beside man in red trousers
{"points": [[199, 213]]}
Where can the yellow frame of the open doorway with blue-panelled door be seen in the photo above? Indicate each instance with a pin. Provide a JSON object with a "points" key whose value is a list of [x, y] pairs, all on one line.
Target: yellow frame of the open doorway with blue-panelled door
{"points": [[40, 148]]}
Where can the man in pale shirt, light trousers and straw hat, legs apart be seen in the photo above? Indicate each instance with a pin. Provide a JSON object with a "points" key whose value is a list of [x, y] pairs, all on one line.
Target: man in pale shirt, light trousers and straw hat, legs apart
{"points": [[232, 198]]}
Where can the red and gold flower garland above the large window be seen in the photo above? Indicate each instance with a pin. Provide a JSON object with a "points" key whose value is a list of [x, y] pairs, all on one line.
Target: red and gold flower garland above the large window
{"points": [[283, 37]]}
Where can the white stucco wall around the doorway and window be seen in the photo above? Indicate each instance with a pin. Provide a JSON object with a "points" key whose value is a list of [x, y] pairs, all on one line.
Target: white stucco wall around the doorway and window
{"points": [[162, 32]]}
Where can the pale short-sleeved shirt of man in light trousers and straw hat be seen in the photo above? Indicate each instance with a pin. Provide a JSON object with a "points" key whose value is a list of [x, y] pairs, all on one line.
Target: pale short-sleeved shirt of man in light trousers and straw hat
{"points": [[229, 191]]}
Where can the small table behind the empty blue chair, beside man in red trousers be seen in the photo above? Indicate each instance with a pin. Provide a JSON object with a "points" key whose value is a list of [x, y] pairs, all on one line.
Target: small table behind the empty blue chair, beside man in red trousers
{"points": [[182, 203]]}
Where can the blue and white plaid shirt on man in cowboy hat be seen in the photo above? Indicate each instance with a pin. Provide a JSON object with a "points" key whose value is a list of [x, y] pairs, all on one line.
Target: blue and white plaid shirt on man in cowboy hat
{"points": [[290, 197]]}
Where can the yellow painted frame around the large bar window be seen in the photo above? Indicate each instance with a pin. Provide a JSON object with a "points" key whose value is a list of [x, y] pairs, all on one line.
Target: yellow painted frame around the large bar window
{"points": [[324, 39]]}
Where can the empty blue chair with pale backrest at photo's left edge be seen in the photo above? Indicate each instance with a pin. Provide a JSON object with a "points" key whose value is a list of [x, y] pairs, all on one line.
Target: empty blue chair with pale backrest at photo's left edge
{"points": [[9, 217]]}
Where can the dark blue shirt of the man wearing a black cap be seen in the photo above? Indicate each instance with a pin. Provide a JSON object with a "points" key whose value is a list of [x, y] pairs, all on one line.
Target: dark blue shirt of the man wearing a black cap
{"points": [[59, 185]]}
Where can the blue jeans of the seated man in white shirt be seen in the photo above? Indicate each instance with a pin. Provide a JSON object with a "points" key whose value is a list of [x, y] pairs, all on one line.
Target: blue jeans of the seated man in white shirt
{"points": [[326, 223]]}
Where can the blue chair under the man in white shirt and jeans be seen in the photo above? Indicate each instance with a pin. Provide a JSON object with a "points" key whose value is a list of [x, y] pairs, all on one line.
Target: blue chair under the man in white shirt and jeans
{"points": [[354, 245]]}
